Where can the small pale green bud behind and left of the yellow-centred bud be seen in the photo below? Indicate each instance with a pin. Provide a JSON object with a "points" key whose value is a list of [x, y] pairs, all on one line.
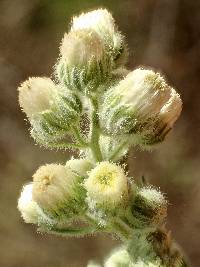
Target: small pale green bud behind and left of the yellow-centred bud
{"points": [[79, 166]]}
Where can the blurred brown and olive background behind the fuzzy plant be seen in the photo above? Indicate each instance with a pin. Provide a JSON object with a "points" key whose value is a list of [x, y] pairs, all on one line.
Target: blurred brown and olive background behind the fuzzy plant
{"points": [[163, 34]]}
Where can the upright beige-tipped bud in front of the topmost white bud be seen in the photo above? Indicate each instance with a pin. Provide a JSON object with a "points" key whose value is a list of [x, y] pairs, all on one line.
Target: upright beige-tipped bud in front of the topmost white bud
{"points": [[83, 64]]}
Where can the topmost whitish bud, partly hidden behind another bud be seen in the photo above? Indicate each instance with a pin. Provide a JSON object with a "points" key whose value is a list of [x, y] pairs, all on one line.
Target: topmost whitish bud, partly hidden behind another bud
{"points": [[102, 22]]}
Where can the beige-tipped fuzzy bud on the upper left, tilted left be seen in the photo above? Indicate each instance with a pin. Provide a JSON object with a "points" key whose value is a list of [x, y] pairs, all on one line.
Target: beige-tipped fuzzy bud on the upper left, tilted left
{"points": [[51, 109]]}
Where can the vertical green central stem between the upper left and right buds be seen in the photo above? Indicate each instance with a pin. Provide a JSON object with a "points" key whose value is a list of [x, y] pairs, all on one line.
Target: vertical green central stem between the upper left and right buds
{"points": [[94, 131]]}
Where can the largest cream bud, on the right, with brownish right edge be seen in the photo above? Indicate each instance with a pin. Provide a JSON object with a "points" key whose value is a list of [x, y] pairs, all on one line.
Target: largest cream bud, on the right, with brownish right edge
{"points": [[142, 104]]}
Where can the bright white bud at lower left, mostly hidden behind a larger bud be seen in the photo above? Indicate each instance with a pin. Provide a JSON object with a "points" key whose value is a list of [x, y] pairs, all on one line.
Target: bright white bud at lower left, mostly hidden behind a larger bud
{"points": [[27, 206]]}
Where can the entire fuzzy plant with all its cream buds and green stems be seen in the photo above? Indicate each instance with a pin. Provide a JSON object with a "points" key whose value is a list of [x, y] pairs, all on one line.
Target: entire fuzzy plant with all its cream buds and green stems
{"points": [[98, 106]]}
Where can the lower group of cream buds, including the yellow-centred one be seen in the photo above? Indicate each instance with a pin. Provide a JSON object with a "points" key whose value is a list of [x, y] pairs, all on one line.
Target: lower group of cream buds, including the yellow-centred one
{"points": [[100, 194]]}
